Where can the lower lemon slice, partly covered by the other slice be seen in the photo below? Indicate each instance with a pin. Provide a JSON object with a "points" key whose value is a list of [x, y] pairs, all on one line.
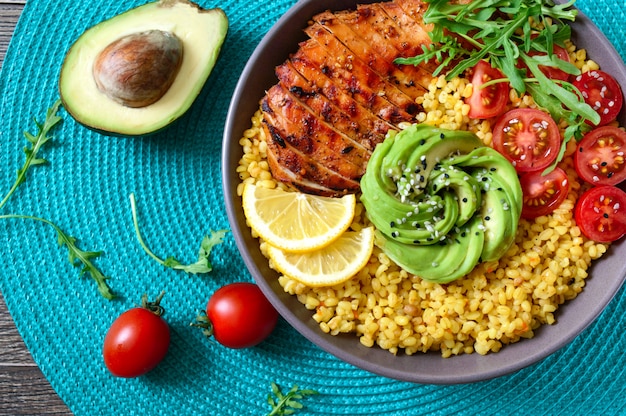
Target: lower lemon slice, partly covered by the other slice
{"points": [[330, 265]]}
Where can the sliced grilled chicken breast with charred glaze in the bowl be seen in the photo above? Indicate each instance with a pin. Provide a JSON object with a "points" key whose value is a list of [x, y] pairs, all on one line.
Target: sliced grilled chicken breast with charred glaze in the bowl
{"points": [[340, 93]]}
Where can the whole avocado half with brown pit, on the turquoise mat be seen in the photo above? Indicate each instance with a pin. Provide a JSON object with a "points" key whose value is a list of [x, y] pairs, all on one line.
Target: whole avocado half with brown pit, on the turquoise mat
{"points": [[142, 89]]}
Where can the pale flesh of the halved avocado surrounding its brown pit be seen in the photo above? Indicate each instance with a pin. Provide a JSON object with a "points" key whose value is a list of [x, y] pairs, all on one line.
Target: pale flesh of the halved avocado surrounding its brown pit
{"points": [[201, 33]]}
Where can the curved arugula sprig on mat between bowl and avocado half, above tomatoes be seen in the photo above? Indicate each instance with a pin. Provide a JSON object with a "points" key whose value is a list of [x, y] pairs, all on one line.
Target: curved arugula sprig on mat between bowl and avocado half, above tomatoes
{"points": [[203, 265]]}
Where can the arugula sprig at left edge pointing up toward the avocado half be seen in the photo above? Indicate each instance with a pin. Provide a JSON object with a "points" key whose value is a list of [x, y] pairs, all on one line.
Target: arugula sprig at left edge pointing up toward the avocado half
{"points": [[36, 141]]}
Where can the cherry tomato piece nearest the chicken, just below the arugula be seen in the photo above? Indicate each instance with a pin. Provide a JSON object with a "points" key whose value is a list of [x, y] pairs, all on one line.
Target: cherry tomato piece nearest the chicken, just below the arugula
{"points": [[490, 101]]}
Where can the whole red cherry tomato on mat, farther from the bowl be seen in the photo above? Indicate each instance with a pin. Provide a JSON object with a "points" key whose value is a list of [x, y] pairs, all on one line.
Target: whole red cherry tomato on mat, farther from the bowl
{"points": [[137, 340]]}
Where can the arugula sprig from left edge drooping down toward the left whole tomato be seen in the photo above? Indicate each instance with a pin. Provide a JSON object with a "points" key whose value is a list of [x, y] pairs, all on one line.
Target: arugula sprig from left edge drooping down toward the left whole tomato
{"points": [[77, 257]]}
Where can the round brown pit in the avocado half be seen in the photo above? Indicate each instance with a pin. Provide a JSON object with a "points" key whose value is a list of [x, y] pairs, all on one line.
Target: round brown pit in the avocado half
{"points": [[137, 70]]}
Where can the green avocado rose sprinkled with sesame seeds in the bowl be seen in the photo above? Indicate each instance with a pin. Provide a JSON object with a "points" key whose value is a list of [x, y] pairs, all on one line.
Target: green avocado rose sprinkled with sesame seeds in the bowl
{"points": [[441, 201]]}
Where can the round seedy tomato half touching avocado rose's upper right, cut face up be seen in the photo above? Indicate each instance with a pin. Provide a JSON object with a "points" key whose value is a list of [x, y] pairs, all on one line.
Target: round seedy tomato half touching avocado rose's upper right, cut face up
{"points": [[528, 138]]}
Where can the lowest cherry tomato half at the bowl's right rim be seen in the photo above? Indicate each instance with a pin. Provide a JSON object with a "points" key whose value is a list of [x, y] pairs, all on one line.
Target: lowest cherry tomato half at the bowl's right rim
{"points": [[601, 213]]}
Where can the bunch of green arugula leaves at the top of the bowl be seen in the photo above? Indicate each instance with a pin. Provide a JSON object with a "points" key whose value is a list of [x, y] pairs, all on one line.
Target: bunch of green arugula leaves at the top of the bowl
{"points": [[505, 32]]}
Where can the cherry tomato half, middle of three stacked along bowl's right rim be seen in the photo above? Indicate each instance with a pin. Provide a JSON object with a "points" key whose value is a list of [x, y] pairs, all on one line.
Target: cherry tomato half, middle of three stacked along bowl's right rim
{"points": [[599, 157]]}
